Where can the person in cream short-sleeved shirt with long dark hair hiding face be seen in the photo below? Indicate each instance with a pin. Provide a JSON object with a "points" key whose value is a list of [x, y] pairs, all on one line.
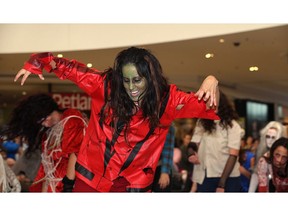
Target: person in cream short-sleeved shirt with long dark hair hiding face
{"points": [[216, 166]]}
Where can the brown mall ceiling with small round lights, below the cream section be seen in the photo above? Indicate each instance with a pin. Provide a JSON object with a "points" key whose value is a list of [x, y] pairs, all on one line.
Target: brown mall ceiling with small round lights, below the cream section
{"points": [[184, 64]]}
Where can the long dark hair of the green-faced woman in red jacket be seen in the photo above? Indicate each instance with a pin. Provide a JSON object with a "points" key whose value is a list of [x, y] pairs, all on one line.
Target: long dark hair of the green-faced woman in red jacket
{"points": [[148, 67]]}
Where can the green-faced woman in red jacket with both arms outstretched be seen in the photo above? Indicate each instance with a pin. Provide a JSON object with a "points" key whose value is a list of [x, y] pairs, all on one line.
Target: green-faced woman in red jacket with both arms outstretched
{"points": [[132, 108]]}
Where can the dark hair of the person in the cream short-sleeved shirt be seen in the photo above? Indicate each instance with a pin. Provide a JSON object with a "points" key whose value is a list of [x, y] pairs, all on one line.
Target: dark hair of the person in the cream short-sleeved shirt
{"points": [[226, 112]]}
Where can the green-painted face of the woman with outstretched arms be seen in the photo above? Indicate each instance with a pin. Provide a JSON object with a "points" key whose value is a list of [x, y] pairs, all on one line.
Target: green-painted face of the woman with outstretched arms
{"points": [[134, 84]]}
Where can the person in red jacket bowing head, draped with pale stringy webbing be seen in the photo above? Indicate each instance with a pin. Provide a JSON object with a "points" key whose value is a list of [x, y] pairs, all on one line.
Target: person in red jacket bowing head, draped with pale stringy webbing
{"points": [[58, 132]]}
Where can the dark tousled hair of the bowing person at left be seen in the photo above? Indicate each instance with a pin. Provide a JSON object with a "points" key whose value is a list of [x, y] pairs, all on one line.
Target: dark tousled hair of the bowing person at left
{"points": [[26, 119]]}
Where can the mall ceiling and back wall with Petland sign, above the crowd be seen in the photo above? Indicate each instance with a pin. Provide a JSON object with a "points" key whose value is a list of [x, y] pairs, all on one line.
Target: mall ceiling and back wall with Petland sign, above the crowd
{"points": [[249, 60]]}
